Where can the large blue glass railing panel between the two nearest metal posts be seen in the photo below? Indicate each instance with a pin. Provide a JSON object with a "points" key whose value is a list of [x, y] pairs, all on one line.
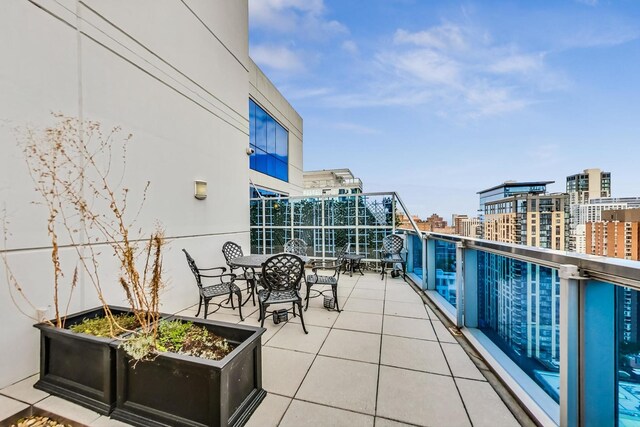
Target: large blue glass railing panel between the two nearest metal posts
{"points": [[519, 311]]}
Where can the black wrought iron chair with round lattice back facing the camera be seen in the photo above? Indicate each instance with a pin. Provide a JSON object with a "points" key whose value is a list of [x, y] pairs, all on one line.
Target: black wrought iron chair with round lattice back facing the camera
{"points": [[281, 275]]}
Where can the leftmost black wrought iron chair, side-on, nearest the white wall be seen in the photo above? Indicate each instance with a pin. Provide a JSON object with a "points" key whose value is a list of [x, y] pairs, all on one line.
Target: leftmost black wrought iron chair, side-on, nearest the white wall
{"points": [[224, 288]]}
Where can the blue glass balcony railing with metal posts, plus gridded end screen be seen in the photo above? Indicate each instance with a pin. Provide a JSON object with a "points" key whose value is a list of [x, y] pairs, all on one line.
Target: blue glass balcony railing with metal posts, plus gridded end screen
{"points": [[561, 329]]}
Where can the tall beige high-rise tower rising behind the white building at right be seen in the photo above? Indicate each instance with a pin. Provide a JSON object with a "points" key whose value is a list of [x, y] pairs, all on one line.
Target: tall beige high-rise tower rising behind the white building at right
{"points": [[582, 189]]}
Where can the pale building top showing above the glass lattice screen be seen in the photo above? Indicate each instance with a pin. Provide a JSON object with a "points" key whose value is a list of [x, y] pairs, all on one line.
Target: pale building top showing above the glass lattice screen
{"points": [[331, 181]]}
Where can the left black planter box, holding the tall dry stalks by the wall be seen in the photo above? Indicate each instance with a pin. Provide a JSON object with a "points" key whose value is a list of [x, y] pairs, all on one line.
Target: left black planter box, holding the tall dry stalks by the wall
{"points": [[79, 367]]}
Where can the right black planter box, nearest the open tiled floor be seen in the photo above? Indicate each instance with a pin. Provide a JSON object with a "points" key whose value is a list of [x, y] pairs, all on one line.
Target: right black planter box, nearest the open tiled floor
{"points": [[178, 390]]}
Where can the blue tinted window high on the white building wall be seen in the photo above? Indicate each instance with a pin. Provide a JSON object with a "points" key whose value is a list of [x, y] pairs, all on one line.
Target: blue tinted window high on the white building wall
{"points": [[270, 141]]}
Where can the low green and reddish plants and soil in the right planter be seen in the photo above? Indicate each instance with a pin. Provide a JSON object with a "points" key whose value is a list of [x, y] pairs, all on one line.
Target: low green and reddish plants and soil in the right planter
{"points": [[192, 340]]}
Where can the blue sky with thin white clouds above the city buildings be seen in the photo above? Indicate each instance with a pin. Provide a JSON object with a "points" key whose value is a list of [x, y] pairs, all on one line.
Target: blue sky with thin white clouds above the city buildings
{"points": [[440, 99]]}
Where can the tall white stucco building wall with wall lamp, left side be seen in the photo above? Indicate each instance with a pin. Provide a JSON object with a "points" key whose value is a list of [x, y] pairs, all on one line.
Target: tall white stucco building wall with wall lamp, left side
{"points": [[175, 76]]}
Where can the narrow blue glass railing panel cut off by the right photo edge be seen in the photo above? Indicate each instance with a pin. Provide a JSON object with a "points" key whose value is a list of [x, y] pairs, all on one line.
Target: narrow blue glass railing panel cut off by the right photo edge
{"points": [[628, 349]]}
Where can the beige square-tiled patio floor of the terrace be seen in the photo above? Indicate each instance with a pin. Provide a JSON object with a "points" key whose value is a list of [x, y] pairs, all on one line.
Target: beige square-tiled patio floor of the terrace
{"points": [[385, 360]]}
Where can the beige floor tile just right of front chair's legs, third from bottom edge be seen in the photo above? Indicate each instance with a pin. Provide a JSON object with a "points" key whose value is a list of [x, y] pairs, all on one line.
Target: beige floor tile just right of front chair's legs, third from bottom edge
{"points": [[361, 346]]}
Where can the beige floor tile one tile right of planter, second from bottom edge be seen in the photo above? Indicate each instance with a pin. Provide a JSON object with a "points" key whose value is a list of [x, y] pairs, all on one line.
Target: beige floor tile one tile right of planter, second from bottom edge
{"points": [[342, 384]]}
